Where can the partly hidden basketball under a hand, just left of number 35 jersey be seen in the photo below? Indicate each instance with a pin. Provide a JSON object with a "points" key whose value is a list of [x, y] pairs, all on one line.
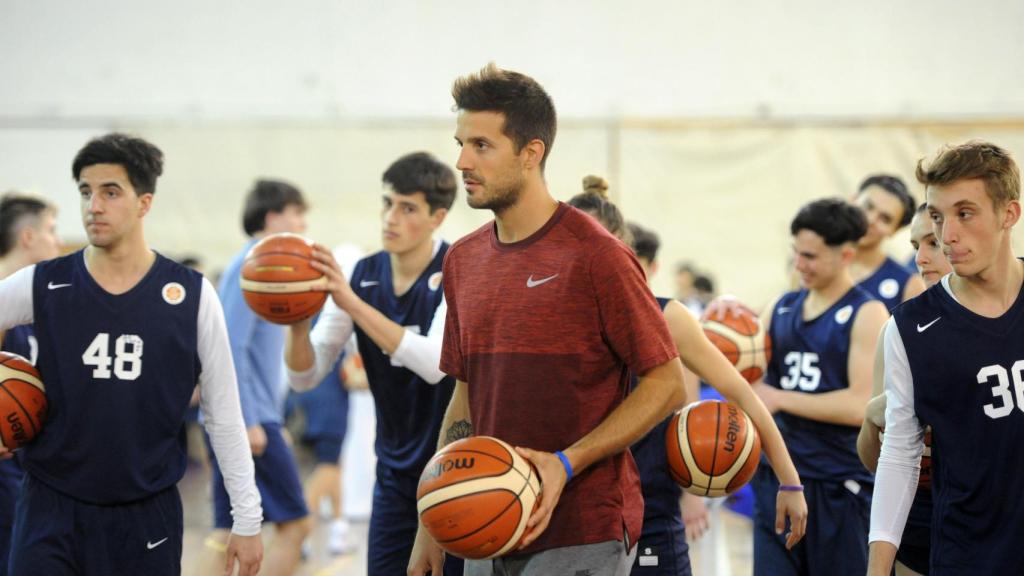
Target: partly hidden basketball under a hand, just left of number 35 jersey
{"points": [[743, 340]]}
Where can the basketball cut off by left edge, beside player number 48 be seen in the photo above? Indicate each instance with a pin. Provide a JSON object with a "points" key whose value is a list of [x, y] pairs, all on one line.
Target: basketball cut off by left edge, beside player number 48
{"points": [[23, 401]]}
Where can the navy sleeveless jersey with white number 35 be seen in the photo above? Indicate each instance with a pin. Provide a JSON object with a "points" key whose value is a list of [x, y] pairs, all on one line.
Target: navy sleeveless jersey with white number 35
{"points": [[812, 357]]}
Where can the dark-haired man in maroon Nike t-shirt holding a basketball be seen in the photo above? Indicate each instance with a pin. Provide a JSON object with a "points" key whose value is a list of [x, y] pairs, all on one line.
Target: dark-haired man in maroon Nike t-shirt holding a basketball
{"points": [[547, 314]]}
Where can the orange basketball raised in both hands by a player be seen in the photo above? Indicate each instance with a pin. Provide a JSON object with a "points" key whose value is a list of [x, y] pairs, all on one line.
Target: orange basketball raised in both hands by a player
{"points": [[278, 279]]}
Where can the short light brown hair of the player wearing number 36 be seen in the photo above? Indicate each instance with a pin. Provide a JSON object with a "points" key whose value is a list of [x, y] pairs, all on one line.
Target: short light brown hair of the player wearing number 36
{"points": [[975, 159]]}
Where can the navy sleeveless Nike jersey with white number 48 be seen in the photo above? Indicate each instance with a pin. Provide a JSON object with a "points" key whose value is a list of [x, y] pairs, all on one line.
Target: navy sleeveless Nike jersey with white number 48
{"points": [[119, 373]]}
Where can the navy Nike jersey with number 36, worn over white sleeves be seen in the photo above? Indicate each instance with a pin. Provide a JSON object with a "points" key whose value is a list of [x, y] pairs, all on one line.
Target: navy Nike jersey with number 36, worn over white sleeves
{"points": [[967, 373]]}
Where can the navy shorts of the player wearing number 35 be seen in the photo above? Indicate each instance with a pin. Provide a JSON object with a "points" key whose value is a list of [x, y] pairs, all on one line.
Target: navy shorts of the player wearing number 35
{"points": [[836, 543]]}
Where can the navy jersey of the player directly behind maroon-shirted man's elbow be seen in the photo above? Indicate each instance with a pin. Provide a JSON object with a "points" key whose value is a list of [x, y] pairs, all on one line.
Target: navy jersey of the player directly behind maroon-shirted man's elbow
{"points": [[661, 493]]}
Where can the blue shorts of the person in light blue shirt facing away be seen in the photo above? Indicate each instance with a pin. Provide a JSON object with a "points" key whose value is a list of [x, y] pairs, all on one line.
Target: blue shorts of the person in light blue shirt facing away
{"points": [[277, 479]]}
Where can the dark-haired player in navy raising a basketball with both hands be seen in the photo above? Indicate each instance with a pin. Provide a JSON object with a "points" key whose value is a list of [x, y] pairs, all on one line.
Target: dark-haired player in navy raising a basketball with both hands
{"points": [[396, 306]]}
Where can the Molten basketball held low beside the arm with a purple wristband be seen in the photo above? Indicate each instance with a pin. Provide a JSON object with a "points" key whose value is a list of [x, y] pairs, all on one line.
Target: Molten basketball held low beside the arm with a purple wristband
{"points": [[713, 448]]}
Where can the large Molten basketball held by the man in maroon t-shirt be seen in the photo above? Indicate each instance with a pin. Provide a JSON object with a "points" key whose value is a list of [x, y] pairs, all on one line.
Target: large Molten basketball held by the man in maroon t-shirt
{"points": [[476, 497]]}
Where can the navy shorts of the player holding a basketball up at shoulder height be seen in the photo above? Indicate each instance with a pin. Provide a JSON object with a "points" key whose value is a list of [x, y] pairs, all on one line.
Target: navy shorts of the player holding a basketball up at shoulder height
{"points": [[394, 522]]}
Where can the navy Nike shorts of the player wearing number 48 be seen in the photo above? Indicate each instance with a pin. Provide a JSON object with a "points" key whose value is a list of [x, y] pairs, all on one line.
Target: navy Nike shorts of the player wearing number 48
{"points": [[57, 536]]}
